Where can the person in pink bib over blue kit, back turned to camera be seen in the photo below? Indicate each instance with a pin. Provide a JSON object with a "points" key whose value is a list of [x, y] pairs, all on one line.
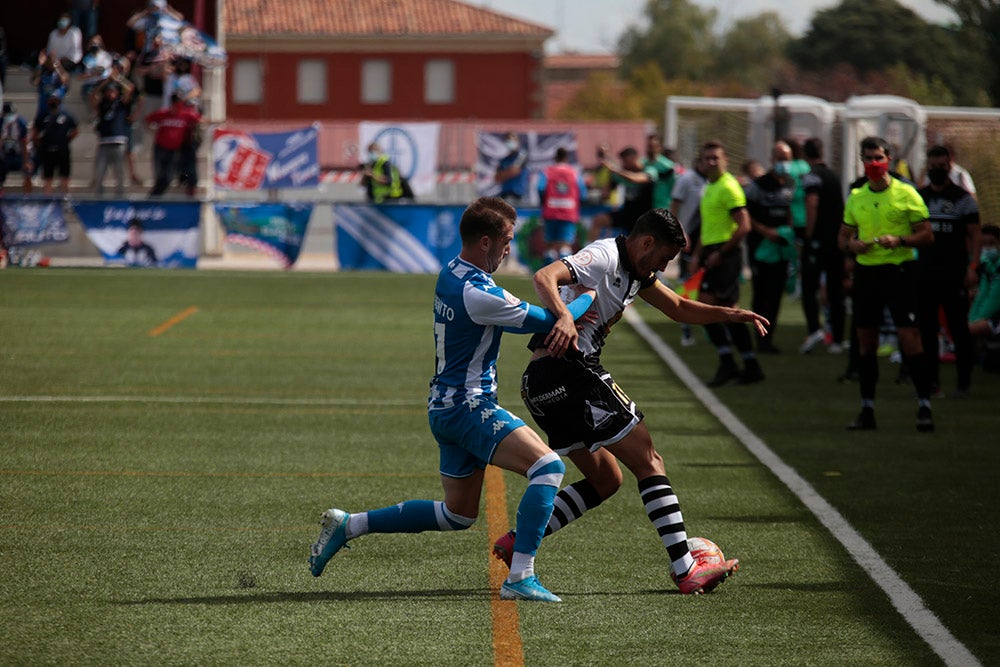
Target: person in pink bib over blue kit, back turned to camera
{"points": [[560, 188]]}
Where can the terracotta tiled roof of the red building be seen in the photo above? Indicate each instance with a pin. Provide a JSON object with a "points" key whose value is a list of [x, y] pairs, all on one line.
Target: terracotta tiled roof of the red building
{"points": [[371, 18]]}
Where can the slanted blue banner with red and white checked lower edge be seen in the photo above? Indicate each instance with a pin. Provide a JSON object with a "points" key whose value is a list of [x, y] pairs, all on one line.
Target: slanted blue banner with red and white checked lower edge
{"points": [[276, 230]]}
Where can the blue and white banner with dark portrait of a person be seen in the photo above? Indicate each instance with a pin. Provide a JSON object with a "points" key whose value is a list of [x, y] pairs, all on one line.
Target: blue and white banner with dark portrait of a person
{"points": [[163, 234]]}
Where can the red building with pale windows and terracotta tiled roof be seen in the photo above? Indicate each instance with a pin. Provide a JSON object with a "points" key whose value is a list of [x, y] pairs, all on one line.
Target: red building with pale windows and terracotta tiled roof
{"points": [[380, 60]]}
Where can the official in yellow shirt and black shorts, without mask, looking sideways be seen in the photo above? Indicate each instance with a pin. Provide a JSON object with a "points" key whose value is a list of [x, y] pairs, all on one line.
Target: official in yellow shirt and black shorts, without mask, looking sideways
{"points": [[724, 224]]}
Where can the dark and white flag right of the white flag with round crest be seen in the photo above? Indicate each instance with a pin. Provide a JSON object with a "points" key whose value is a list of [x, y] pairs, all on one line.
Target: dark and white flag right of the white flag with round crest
{"points": [[540, 146]]}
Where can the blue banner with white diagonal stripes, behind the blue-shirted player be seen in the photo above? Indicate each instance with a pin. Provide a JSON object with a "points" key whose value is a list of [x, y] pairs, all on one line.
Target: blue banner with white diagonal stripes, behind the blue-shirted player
{"points": [[399, 238]]}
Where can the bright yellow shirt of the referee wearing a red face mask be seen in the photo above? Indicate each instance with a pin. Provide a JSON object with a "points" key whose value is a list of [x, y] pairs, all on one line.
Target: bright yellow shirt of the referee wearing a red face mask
{"points": [[894, 211]]}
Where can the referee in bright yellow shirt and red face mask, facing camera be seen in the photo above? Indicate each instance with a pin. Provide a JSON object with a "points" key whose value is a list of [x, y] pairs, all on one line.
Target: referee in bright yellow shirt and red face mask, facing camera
{"points": [[884, 220]]}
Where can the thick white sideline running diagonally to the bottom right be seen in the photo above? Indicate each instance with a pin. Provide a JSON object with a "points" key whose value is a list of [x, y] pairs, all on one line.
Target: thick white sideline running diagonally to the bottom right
{"points": [[903, 598]]}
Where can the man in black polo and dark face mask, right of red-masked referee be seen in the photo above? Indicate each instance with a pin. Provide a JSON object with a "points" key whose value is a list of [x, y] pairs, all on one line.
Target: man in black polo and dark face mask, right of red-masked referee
{"points": [[946, 272]]}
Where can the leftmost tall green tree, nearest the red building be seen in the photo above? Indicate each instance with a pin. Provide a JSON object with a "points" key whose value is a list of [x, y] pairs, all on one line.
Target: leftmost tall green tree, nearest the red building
{"points": [[678, 36]]}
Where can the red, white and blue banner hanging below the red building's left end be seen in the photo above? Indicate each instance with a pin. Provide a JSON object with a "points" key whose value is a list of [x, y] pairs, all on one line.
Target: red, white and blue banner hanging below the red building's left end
{"points": [[261, 161]]}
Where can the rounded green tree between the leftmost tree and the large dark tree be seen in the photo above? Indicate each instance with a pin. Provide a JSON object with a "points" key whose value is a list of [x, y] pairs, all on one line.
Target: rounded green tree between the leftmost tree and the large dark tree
{"points": [[753, 51]]}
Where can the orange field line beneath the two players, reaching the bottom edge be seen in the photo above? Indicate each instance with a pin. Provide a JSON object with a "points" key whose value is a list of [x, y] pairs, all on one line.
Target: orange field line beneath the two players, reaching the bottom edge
{"points": [[507, 649]]}
